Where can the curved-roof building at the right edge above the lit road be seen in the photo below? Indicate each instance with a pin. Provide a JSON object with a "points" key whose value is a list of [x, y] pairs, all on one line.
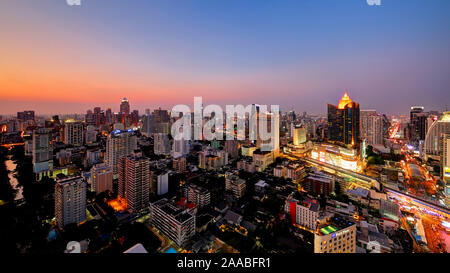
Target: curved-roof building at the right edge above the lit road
{"points": [[433, 140]]}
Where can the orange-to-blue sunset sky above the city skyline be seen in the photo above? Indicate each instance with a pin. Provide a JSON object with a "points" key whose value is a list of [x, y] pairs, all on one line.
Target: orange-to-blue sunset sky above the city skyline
{"points": [[301, 54]]}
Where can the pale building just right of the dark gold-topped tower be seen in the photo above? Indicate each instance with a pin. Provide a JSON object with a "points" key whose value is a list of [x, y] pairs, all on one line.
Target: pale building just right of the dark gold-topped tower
{"points": [[371, 127]]}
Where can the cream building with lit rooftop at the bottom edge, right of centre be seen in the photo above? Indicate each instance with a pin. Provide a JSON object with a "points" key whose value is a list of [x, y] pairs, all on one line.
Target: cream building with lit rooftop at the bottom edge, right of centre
{"points": [[335, 235]]}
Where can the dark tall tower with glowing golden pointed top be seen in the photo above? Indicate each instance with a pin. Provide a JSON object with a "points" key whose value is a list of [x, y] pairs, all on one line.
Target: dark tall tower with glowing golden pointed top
{"points": [[343, 122]]}
